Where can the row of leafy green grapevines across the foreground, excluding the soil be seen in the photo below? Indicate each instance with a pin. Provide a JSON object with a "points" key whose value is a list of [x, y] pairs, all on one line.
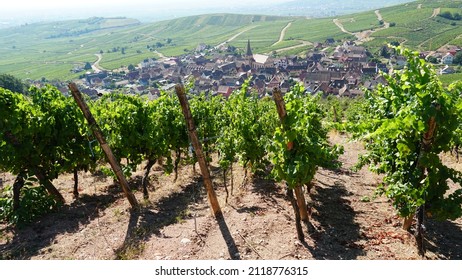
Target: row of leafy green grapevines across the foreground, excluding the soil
{"points": [[405, 125]]}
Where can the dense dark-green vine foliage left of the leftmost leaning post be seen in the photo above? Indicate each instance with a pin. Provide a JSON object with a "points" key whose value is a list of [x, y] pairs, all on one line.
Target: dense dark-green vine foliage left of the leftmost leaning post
{"points": [[42, 135]]}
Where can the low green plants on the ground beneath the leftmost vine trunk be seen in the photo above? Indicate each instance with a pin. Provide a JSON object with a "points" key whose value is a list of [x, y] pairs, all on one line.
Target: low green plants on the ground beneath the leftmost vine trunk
{"points": [[35, 202]]}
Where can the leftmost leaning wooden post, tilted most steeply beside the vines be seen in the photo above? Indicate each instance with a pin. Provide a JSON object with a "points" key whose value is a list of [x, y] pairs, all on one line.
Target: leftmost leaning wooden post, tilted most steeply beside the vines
{"points": [[107, 150]]}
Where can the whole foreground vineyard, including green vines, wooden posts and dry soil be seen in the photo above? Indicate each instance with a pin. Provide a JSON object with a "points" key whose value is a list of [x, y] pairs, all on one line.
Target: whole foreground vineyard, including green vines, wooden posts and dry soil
{"points": [[281, 176]]}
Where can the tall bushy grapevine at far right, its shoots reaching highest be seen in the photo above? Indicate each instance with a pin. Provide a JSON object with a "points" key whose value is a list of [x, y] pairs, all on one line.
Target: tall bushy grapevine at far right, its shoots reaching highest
{"points": [[393, 128]]}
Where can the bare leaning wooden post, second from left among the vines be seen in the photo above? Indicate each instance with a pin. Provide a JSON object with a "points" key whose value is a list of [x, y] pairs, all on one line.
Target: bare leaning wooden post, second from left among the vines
{"points": [[215, 206]]}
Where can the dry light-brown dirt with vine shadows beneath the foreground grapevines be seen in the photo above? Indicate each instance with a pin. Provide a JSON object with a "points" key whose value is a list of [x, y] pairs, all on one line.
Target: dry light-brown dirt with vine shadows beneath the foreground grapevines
{"points": [[346, 221]]}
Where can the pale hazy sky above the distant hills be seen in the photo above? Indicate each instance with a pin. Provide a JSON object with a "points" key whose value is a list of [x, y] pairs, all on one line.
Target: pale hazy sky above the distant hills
{"points": [[22, 11]]}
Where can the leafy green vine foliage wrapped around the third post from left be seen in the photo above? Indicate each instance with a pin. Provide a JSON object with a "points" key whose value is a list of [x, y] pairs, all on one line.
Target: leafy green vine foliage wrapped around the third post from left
{"points": [[299, 145]]}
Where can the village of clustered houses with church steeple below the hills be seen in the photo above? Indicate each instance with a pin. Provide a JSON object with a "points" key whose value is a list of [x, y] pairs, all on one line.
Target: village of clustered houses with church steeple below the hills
{"points": [[346, 71]]}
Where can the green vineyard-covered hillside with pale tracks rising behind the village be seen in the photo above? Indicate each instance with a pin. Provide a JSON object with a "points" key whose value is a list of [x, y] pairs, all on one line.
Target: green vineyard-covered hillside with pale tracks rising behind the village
{"points": [[53, 50]]}
